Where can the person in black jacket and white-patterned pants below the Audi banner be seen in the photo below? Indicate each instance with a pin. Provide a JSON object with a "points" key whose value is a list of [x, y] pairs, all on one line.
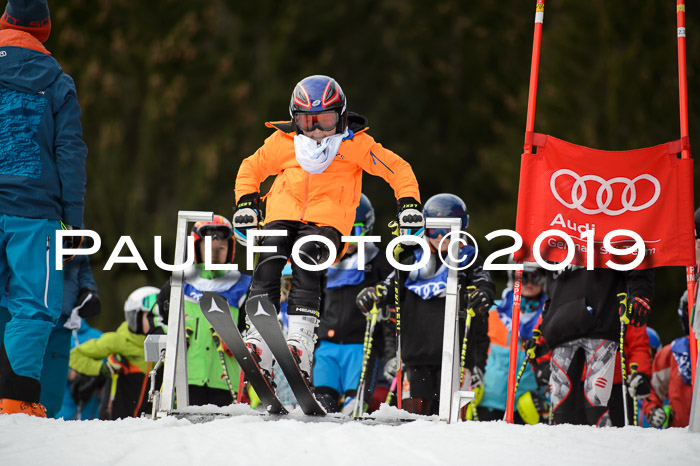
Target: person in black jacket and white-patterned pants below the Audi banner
{"points": [[581, 325]]}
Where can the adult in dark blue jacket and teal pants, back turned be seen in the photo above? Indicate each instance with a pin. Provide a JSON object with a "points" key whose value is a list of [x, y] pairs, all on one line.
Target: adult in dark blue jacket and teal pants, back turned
{"points": [[42, 186]]}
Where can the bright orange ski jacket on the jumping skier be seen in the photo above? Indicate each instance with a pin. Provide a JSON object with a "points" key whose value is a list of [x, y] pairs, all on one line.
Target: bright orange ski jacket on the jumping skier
{"points": [[329, 198]]}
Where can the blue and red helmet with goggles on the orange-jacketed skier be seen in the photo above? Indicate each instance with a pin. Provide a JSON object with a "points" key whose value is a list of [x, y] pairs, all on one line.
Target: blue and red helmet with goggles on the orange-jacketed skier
{"points": [[314, 95]]}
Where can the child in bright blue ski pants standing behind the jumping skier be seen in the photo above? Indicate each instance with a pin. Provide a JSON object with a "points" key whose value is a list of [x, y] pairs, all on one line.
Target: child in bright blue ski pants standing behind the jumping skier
{"points": [[341, 332]]}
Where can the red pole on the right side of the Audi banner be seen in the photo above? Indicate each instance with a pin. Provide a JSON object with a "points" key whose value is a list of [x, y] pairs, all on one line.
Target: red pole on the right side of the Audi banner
{"points": [[683, 97]]}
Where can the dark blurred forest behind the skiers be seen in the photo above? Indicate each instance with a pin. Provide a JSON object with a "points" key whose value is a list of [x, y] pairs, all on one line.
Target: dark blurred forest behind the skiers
{"points": [[175, 94]]}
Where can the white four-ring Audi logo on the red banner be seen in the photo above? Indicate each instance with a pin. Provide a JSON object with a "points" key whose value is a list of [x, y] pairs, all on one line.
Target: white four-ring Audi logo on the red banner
{"points": [[604, 195]]}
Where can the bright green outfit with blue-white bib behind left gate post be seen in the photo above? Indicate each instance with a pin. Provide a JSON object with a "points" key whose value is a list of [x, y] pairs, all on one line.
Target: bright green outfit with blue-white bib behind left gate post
{"points": [[204, 366]]}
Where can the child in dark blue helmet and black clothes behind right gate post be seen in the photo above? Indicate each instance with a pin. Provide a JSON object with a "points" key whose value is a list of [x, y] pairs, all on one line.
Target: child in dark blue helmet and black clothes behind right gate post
{"points": [[422, 304]]}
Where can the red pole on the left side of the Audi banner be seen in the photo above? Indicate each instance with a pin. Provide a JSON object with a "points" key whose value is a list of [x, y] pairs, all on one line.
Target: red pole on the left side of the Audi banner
{"points": [[529, 128]]}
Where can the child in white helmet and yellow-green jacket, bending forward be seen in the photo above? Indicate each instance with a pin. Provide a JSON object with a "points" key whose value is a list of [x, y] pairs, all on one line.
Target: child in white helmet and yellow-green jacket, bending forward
{"points": [[119, 357]]}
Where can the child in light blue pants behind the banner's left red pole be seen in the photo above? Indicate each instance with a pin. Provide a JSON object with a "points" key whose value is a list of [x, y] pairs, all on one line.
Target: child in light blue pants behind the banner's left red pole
{"points": [[528, 397]]}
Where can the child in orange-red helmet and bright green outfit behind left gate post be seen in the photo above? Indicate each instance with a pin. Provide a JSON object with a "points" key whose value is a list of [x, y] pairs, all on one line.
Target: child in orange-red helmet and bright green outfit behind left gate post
{"points": [[212, 371]]}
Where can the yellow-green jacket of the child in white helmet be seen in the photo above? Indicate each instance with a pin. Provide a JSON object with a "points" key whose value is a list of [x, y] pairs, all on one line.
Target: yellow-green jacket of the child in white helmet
{"points": [[87, 357]]}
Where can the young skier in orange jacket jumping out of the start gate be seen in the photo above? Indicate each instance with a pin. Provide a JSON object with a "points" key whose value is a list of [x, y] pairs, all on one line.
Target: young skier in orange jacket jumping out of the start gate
{"points": [[318, 158]]}
